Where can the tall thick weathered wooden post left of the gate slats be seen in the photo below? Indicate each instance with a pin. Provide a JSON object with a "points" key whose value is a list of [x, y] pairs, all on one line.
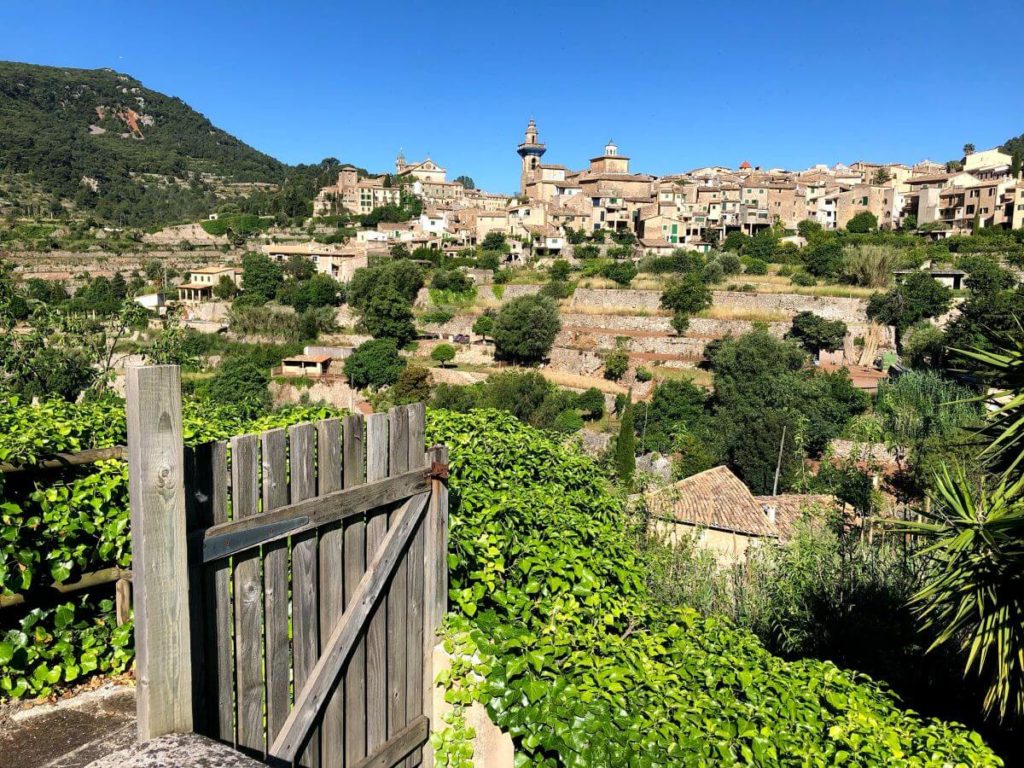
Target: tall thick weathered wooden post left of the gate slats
{"points": [[160, 570]]}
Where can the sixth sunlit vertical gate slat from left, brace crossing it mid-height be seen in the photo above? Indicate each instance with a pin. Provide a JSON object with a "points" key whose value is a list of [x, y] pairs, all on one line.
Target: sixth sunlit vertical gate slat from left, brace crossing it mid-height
{"points": [[355, 679]]}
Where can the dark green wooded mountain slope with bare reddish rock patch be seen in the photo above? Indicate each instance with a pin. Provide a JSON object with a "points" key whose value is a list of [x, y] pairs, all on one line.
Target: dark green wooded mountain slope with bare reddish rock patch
{"points": [[90, 137]]}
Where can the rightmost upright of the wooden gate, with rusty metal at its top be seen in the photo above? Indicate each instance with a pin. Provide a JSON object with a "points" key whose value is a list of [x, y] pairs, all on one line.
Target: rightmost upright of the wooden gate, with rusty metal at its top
{"points": [[436, 583]]}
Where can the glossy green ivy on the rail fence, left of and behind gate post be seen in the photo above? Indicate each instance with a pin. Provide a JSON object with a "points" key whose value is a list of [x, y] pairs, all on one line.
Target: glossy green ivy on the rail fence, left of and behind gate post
{"points": [[61, 526]]}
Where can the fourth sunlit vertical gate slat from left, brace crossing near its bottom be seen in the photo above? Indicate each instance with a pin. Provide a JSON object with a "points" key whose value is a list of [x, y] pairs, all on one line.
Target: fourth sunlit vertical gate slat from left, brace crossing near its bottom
{"points": [[306, 613]]}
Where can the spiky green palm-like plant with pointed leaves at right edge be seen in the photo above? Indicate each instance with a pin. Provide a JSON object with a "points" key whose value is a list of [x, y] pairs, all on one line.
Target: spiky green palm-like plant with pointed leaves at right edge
{"points": [[975, 598]]}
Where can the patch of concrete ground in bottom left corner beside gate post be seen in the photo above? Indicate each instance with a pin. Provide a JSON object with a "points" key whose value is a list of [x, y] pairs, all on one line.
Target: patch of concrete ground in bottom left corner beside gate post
{"points": [[72, 733]]}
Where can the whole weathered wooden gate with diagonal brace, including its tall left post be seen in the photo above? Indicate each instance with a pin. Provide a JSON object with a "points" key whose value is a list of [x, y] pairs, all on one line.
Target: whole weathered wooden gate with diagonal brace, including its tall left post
{"points": [[288, 585]]}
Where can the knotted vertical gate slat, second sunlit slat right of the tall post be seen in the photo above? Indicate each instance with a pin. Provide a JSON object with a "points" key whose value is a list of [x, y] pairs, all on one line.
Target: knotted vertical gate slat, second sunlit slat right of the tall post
{"points": [[248, 599]]}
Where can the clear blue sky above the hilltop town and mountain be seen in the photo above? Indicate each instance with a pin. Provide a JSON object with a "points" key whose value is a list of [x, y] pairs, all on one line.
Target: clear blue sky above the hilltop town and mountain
{"points": [[676, 84]]}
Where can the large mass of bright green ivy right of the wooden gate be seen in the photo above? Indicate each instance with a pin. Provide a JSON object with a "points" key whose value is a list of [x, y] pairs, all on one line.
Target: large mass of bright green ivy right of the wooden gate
{"points": [[581, 667]]}
